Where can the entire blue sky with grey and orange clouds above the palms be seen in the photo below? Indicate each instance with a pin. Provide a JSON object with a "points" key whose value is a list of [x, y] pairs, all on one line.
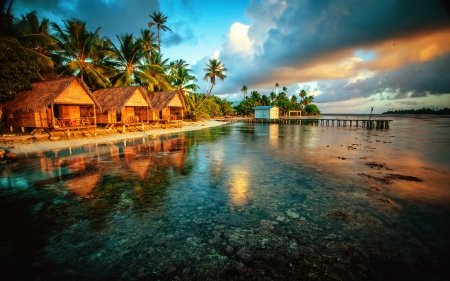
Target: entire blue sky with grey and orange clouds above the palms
{"points": [[350, 55]]}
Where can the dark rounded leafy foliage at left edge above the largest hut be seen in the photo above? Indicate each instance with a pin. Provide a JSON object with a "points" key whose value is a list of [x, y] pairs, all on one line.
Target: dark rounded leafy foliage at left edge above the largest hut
{"points": [[17, 70]]}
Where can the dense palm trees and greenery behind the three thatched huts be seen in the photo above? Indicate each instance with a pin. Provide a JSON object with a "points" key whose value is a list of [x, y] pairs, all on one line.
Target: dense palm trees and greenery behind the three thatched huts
{"points": [[35, 50]]}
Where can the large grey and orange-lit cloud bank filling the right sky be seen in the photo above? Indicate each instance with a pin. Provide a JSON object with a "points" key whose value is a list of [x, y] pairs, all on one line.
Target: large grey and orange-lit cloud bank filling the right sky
{"points": [[299, 41]]}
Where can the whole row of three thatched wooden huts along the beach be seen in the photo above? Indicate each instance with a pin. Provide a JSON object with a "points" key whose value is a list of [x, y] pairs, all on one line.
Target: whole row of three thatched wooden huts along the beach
{"points": [[67, 103]]}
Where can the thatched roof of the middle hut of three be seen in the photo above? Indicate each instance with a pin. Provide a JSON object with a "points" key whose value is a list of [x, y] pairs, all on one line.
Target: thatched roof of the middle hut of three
{"points": [[114, 99]]}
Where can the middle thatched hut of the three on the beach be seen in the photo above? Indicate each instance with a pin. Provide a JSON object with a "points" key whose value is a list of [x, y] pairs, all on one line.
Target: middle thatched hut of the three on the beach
{"points": [[123, 105]]}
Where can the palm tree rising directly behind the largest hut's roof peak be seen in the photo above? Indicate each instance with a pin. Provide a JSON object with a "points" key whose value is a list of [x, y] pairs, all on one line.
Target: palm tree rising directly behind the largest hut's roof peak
{"points": [[77, 47]]}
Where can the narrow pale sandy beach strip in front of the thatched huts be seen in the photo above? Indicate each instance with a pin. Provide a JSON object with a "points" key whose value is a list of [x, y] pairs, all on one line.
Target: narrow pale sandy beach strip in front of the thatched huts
{"points": [[39, 145]]}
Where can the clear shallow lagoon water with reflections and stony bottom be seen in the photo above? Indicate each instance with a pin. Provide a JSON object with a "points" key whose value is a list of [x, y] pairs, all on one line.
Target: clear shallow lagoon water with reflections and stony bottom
{"points": [[240, 201]]}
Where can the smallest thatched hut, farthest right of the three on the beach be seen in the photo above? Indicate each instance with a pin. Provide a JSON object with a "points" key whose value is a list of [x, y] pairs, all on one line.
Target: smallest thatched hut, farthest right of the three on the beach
{"points": [[167, 105]]}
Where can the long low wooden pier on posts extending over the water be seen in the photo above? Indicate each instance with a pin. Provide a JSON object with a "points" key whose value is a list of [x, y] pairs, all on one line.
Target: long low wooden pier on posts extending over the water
{"points": [[370, 124]]}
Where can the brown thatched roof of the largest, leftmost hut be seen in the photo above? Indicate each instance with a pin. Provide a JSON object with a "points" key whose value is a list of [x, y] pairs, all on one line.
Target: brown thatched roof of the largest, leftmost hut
{"points": [[43, 94]]}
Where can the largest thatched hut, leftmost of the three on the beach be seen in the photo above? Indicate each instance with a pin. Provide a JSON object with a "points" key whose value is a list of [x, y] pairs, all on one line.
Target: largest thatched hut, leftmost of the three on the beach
{"points": [[53, 104]]}
